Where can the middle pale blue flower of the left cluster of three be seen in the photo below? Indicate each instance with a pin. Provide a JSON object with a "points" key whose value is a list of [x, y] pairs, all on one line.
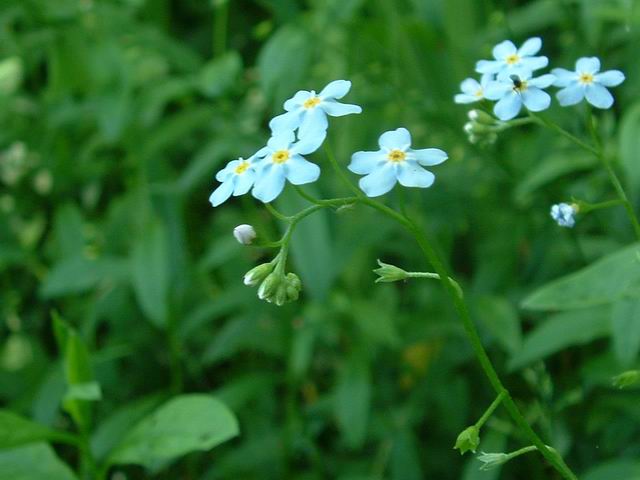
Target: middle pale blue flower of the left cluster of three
{"points": [[282, 159]]}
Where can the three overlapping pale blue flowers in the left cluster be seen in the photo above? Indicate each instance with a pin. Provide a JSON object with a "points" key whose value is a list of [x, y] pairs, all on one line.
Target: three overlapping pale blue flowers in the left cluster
{"points": [[298, 132]]}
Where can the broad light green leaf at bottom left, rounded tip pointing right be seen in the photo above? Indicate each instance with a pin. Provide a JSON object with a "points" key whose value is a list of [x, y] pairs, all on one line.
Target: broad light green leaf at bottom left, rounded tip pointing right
{"points": [[184, 424]]}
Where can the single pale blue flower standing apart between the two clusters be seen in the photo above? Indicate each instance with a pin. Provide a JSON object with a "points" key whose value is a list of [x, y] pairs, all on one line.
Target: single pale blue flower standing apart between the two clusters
{"points": [[395, 162]]}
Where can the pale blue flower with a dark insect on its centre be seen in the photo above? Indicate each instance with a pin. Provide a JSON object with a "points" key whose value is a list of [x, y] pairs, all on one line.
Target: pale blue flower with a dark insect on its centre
{"points": [[513, 90]]}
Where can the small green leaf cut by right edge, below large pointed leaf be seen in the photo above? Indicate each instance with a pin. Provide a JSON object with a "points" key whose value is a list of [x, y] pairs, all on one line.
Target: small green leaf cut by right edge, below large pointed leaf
{"points": [[625, 329]]}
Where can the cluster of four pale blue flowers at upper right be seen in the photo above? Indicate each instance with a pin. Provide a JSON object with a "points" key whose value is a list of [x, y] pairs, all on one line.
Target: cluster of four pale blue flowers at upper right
{"points": [[509, 80]]}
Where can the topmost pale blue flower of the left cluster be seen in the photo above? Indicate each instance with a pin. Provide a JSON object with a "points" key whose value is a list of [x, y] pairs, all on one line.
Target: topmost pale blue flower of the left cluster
{"points": [[308, 111]]}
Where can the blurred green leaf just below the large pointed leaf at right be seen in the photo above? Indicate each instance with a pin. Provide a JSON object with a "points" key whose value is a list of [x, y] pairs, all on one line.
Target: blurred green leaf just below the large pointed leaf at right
{"points": [[561, 331]]}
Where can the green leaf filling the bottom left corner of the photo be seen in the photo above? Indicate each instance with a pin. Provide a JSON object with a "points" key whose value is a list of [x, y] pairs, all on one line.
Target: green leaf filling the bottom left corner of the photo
{"points": [[33, 462]]}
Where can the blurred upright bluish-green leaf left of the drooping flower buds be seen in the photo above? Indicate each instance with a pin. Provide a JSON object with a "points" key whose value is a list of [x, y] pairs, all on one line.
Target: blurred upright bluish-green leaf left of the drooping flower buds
{"points": [[150, 273]]}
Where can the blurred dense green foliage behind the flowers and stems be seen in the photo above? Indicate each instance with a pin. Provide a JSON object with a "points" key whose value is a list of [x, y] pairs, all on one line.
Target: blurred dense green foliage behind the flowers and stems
{"points": [[115, 116]]}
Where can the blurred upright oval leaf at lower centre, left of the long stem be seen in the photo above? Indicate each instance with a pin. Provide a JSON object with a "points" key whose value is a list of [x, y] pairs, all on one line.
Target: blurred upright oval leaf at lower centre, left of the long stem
{"points": [[352, 400]]}
